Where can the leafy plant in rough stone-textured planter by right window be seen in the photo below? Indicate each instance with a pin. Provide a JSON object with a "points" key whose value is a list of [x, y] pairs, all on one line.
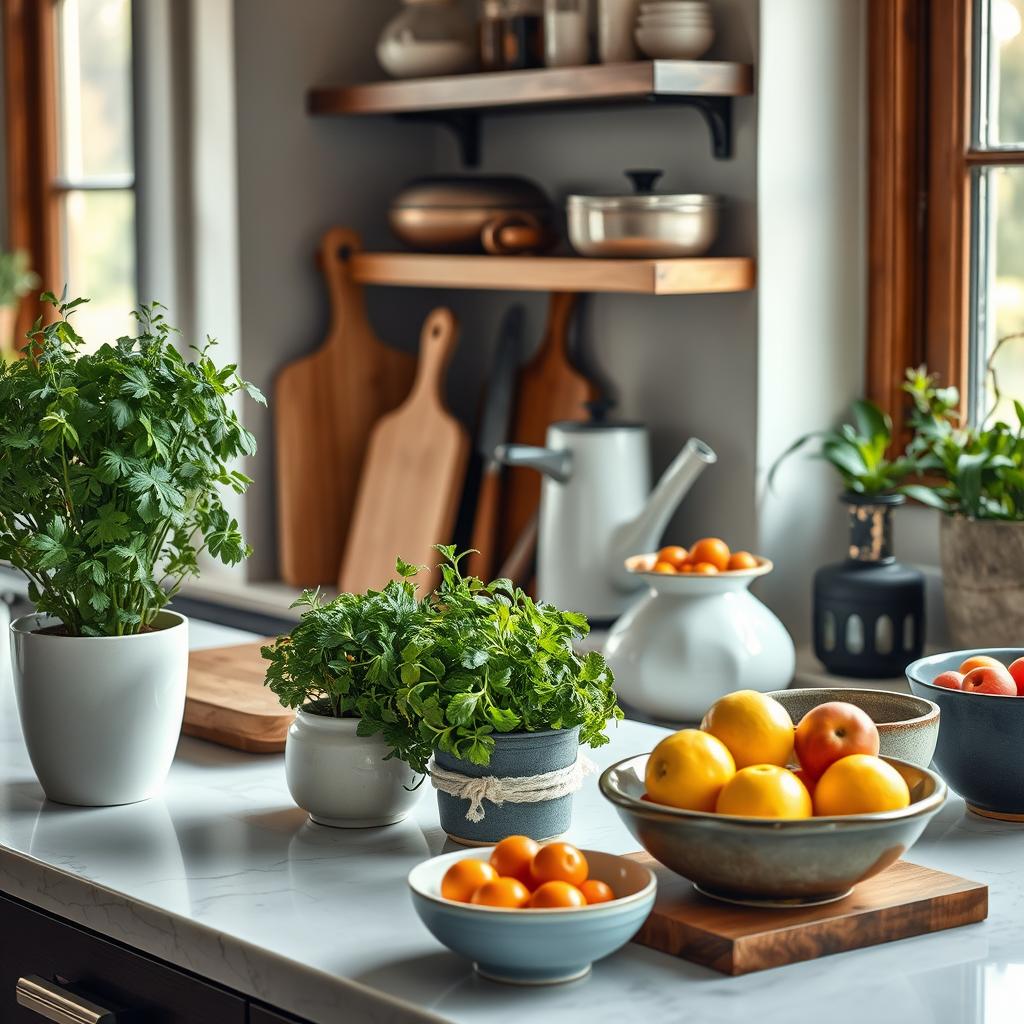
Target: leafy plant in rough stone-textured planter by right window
{"points": [[978, 475]]}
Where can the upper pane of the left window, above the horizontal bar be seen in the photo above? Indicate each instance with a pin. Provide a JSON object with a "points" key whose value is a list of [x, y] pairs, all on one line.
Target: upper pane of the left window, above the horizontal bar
{"points": [[96, 136]]}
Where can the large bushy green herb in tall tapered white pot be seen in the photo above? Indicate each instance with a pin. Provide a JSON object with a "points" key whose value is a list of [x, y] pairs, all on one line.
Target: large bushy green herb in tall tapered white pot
{"points": [[111, 470]]}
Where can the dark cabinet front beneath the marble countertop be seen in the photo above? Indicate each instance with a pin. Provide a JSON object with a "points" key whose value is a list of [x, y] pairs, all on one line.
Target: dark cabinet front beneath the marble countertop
{"points": [[72, 964]]}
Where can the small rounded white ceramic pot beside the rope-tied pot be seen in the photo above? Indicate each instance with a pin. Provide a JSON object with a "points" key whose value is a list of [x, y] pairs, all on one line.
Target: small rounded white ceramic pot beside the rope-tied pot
{"points": [[343, 780]]}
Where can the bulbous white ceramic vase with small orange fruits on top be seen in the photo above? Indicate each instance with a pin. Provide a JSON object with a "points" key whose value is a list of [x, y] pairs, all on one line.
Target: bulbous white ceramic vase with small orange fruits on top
{"points": [[695, 638]]}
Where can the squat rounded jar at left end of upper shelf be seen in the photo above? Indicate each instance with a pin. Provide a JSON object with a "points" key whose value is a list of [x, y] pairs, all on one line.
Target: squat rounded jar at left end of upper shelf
{"points": [[429, 37]]}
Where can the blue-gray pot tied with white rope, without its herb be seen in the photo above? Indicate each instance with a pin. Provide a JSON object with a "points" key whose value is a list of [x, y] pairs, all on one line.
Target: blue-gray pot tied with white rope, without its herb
{"points": [[516, 755]]}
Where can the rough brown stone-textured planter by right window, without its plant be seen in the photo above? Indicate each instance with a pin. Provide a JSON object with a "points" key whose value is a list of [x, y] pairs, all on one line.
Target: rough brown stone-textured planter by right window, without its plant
{"points": [[984, 582]]}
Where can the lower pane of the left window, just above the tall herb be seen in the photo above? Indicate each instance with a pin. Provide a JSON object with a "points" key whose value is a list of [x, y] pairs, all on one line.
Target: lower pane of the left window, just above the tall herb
{"points": [[101, 262]]}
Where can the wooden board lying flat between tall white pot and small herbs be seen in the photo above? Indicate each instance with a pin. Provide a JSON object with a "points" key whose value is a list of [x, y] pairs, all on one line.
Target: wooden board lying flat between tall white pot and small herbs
{"points": [[228, 704]]}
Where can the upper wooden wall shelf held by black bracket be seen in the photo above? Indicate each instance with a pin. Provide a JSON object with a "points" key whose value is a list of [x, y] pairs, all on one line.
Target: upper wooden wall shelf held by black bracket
{"points": [[559, 87]]}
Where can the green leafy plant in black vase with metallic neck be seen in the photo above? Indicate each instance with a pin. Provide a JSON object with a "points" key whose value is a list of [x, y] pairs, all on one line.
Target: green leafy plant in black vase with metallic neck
{"points": [[869, 610]]}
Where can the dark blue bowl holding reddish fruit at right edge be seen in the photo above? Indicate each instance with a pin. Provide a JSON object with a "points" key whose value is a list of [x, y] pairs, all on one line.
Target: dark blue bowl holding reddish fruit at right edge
{"points": [[982, 737]]}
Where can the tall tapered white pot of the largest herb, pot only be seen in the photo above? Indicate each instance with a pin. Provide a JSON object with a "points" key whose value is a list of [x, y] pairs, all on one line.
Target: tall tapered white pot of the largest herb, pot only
{"points": [[102, 716]]}
